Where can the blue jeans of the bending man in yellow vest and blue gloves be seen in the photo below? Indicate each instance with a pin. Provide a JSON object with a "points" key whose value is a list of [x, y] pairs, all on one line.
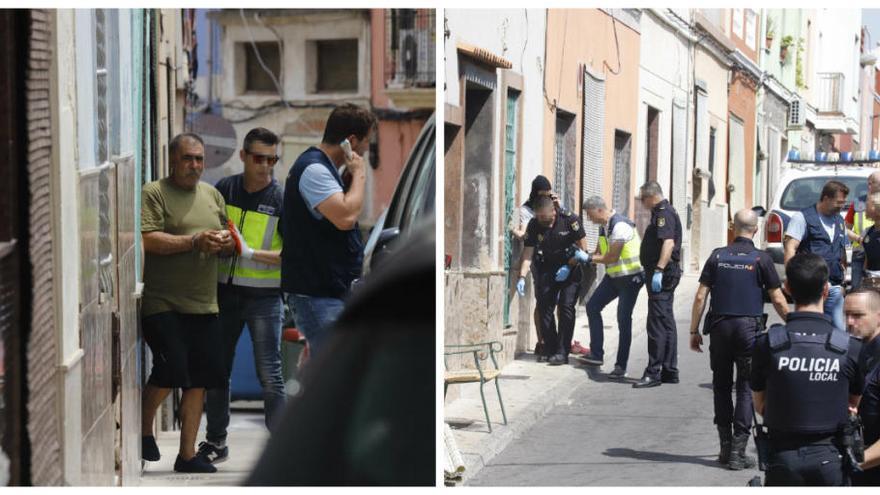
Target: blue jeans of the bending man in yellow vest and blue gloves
{"points": [[627, 289]]}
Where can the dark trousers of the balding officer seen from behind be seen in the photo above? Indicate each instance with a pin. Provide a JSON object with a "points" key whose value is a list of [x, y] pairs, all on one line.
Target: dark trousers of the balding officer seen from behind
{"points": [[730, 345]]}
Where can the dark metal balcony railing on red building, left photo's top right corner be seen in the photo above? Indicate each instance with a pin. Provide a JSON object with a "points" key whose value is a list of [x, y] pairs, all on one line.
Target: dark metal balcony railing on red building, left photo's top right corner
{"points": [[410, 48]]}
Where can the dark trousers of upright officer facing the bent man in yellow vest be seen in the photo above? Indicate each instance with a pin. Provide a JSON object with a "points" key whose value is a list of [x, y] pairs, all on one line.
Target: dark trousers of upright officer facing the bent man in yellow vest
{"points": [[662, 333]]}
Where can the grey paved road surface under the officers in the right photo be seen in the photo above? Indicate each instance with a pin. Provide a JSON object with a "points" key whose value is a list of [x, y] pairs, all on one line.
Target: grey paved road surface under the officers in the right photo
{"points": [[610, 434]]}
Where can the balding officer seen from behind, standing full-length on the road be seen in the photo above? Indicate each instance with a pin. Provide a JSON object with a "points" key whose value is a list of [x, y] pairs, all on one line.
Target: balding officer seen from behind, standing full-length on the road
{"points": [[736, 276]]}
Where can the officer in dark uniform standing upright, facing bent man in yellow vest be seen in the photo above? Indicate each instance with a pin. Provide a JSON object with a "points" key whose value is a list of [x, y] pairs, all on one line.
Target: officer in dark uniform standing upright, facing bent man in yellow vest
{"points": [[660, 255]]}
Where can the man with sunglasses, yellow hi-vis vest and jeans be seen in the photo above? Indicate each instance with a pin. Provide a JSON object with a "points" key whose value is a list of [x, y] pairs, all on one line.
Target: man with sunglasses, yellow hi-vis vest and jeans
{"points": [[249, 284]]}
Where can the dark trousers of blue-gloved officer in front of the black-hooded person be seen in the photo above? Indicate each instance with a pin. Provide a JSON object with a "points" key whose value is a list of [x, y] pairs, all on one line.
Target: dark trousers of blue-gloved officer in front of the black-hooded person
{"points": [[564, 295]]}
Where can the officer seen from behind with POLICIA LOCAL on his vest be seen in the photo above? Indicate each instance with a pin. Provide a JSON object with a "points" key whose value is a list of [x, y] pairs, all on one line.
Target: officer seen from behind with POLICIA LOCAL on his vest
{"points": [[805, 380]]}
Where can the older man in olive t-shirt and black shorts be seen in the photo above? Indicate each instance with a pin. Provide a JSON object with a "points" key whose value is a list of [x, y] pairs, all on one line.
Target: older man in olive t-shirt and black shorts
{"points": [[183, 227]]}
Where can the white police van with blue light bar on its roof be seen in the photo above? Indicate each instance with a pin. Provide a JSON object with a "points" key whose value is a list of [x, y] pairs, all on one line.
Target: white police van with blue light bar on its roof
{"points": [[800, 185]]}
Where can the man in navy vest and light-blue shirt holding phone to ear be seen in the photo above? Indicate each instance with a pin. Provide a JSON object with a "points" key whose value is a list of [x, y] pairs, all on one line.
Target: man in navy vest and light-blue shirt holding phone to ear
{"points": [[323, 248]]}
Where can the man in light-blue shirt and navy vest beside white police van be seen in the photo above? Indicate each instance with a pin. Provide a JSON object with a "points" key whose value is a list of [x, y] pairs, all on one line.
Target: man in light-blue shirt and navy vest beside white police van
{"points": [[820, 230]]}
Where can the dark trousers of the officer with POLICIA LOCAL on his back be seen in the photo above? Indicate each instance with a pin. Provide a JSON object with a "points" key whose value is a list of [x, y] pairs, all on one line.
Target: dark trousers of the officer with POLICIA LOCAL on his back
{"points": [[811, 465]]}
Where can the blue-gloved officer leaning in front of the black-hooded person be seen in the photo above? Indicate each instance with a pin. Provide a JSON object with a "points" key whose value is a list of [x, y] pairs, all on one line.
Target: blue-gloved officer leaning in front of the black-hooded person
{"points": [[550, 237]]}
